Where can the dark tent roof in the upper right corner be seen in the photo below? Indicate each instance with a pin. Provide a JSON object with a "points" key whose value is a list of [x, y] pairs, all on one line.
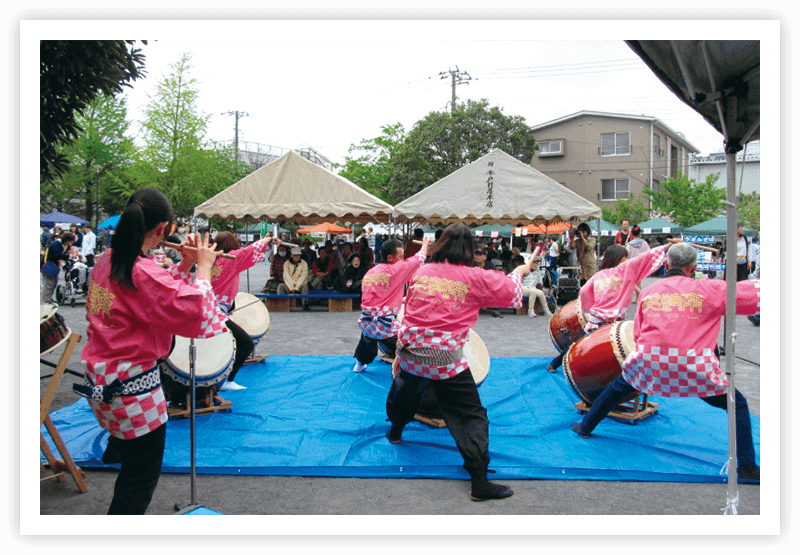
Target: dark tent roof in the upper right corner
{"points": [[702, 72]]}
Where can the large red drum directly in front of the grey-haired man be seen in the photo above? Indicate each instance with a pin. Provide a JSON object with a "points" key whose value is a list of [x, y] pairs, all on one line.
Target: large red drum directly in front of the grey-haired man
{"points": [[595, 360]]}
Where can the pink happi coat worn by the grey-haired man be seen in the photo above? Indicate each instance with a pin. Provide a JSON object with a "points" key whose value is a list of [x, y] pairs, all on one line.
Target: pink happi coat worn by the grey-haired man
{"points": [[676, 329]]}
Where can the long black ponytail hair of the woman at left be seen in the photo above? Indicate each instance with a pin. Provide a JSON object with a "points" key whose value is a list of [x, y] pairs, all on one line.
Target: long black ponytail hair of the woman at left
{"points": [[146, 209]]}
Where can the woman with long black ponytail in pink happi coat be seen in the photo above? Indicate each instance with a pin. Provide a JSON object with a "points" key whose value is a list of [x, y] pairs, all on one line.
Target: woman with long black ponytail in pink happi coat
{"points": [[133, 309]]}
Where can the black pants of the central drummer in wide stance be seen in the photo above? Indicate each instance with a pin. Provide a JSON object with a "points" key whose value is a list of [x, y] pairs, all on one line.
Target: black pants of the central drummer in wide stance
{"points": [[461, 409]]}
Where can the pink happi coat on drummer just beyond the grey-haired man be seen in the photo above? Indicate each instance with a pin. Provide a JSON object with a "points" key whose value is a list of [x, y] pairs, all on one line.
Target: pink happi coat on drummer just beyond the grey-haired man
{"points": [[606, 297]]}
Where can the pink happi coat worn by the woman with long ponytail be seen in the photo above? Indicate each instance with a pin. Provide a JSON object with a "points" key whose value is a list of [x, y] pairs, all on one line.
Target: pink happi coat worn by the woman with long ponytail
{"points": [[129, 330]]}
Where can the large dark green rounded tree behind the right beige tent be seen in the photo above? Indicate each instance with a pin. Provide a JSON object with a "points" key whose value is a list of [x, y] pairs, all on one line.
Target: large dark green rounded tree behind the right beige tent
{"points": [[442, 142]]}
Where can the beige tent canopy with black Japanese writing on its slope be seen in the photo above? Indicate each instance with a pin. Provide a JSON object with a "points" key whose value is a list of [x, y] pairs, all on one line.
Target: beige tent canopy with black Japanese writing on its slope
{"points": [[496, 188]]}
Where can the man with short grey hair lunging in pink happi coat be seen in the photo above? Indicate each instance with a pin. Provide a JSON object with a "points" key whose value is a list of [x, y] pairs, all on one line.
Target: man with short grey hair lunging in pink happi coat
{"points": [[675, 330]]}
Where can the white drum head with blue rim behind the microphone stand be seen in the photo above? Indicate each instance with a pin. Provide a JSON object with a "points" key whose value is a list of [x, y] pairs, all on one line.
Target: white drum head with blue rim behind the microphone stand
{"points": [[213, 363]]}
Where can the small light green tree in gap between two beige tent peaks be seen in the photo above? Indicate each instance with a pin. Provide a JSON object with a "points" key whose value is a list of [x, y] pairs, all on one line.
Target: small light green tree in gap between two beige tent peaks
{"points": [[372, 170]]}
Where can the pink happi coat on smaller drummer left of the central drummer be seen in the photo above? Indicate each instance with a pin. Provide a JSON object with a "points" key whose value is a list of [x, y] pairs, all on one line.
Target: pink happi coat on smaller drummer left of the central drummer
{"points": [[382, 292]]}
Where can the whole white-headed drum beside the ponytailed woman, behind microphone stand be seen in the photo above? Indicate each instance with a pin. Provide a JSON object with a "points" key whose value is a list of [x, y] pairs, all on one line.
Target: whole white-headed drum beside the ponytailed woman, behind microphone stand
{"points": [[214, 361]]}
